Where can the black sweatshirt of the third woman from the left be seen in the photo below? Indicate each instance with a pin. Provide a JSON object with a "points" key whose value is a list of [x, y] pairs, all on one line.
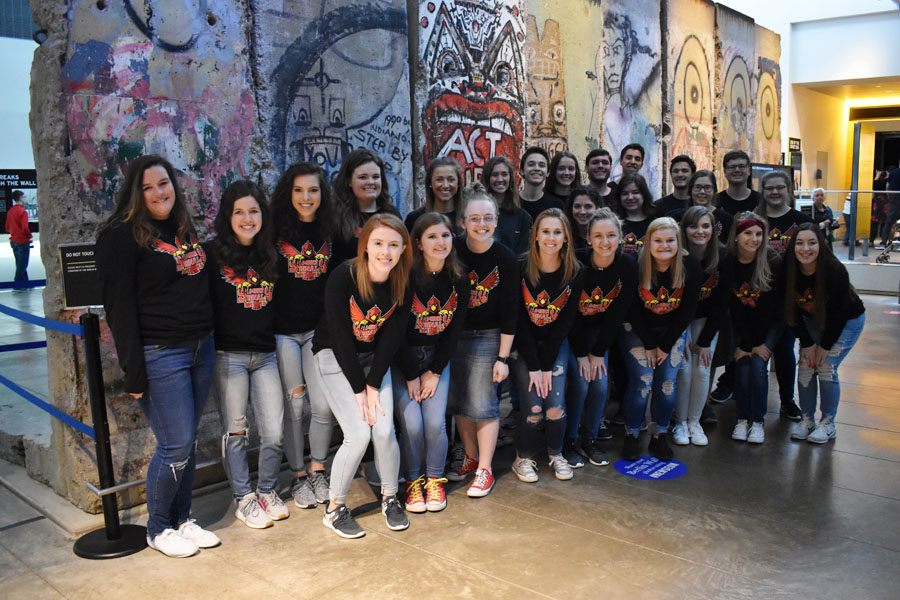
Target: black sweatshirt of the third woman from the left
{"points": [[303, 266]]}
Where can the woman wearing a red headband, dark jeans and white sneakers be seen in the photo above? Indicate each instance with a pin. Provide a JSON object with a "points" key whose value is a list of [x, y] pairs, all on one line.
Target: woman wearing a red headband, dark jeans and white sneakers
{"points": [[752, 302]]}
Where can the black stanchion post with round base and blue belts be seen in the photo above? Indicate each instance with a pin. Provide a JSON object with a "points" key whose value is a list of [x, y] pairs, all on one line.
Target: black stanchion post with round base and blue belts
{"points": [[114, 540]]}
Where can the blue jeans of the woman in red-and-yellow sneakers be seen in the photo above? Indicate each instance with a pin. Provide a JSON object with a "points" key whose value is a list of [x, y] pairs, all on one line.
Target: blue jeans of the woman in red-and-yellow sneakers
{"points": [[422, 425]]}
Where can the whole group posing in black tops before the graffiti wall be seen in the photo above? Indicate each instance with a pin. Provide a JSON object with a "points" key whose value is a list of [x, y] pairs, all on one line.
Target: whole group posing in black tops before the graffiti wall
{"points": [[324, 298]]}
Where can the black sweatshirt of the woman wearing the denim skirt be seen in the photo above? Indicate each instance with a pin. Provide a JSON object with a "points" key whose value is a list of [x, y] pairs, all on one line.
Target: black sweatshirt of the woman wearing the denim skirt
{"points": [[494, 281]]}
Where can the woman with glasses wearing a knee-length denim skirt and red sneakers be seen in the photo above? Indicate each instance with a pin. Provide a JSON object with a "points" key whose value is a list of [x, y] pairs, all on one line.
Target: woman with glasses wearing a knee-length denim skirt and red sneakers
{"points": [[485, 342]]}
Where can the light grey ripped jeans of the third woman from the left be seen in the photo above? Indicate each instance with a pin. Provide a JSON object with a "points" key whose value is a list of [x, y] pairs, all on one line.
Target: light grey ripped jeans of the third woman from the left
{"points": [[297, 369]]}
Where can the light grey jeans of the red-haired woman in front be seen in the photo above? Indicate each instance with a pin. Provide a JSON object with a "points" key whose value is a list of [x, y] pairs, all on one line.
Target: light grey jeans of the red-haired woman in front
{"points": [[357, 433]]}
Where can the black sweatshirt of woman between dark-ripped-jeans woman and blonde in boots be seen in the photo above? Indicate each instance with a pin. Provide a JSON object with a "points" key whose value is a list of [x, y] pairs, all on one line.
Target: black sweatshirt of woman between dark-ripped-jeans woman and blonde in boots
{"points": [[606, 297]]}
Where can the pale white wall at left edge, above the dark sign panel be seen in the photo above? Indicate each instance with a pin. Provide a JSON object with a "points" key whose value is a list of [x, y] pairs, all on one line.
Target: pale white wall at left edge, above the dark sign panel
{"points": [[15, 103]]}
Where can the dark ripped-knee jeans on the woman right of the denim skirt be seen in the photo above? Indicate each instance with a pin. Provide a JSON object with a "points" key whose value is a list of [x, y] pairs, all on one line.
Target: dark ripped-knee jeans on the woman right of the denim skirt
{"points": [[536, 410]]}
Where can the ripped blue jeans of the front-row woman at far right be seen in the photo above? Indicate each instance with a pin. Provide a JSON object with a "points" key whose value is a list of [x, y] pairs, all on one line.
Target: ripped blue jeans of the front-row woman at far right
{"points": [[829, 387]]}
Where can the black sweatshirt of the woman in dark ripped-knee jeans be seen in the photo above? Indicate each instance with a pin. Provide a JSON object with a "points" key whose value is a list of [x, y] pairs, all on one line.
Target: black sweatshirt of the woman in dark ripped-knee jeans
{"points": [[545, 317]]}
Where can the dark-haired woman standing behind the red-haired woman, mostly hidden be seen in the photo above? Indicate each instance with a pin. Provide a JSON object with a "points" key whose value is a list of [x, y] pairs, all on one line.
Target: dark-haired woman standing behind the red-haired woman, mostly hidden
{"points": [[360, 190]]}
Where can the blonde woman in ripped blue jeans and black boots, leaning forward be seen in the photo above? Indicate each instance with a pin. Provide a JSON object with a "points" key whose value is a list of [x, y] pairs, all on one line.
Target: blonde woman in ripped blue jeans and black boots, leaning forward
{"points": [[654, 339]]}
